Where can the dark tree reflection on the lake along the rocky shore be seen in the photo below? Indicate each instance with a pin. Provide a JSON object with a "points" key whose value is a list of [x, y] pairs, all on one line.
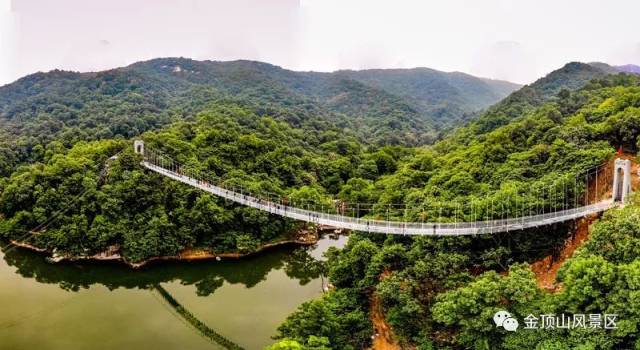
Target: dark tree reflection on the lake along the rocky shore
{"points": [[206, 276]]}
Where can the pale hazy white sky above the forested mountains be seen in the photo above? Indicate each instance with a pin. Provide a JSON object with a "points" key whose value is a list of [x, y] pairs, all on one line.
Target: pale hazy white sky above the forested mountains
{"points": [[516, 40]]}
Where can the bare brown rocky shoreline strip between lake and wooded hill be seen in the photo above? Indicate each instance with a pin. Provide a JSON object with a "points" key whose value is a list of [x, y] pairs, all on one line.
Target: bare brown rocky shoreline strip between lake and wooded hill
{"points": [[112, 254]]}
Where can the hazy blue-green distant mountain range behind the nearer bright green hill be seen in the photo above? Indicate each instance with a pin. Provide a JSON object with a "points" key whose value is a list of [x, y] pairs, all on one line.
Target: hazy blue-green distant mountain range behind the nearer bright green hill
{"points": [[149, 93]]}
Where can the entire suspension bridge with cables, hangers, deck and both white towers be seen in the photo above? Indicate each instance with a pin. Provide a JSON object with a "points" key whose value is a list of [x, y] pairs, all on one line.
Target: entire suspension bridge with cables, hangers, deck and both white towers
{"points": [[574, 204]]}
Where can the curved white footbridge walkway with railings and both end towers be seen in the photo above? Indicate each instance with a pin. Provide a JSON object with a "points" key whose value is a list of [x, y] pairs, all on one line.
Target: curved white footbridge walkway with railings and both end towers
{"points": [[160, 164]]}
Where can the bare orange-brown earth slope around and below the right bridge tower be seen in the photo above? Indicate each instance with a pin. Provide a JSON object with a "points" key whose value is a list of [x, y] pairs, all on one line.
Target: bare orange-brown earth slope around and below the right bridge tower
{"points": [[546, 269]]}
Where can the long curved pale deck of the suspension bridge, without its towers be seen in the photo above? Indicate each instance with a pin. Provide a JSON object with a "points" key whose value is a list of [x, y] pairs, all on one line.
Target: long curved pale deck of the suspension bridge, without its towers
{"points": [[389, 227]]}
